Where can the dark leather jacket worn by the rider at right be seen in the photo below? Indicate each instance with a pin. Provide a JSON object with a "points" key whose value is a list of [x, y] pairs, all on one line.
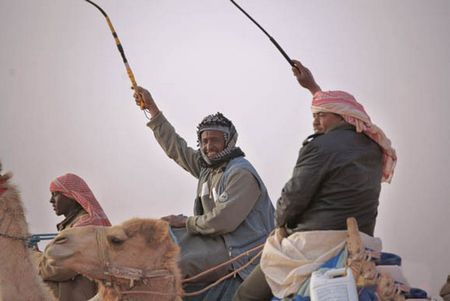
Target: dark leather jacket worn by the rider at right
{"points": [[337, 175]]}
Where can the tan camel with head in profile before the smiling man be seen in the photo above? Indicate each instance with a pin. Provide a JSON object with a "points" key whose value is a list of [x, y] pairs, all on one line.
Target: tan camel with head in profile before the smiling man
{"points": [[136, 260]]}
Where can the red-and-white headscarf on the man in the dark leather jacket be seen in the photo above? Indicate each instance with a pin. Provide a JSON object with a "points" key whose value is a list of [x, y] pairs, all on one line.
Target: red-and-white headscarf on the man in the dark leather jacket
{"points": [[345, 104]]}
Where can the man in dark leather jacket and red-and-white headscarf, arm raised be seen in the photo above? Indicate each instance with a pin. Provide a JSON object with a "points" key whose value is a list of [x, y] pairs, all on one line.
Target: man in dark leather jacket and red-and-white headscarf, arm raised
{"points": [[337, 175]]}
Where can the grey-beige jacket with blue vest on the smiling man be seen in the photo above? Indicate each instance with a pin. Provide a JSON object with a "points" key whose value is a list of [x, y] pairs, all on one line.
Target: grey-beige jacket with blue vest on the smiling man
{"points": [[232, 200]]}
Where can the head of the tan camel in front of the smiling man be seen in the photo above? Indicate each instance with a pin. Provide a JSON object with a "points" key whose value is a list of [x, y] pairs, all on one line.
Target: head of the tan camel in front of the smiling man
{"points": [[137, 245]]}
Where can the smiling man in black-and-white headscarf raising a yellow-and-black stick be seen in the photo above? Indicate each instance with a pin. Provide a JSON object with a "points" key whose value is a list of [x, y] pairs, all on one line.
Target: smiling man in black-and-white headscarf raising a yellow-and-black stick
{"points": [[232, 210]]}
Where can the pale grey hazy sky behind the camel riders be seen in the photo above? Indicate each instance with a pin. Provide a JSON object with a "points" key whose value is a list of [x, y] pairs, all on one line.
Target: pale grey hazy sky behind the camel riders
{"points": [[66, 103]]}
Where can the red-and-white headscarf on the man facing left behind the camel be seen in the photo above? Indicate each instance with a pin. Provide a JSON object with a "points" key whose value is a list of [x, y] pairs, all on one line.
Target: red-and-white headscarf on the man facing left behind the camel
{"points": [[74, 187]]}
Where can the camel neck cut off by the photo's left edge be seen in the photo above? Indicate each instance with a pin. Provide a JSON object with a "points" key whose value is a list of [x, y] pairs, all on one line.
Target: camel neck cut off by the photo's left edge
{"points": [[19, 278]]}
